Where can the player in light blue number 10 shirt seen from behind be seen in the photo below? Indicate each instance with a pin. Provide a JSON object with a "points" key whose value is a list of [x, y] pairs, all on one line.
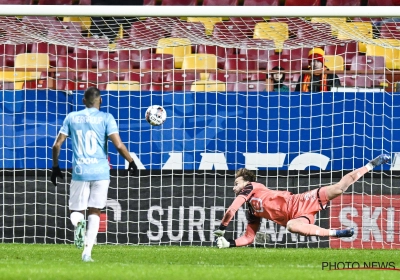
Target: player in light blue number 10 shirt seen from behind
{"points": [[89, 130]]}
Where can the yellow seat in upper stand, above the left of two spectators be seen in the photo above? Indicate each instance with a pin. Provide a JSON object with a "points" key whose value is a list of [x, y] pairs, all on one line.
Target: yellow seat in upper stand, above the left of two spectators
{"points": [[276, 31]]}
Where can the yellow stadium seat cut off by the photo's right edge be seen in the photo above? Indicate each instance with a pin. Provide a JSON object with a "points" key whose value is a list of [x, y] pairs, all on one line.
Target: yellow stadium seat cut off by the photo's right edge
{"points": [[384, 47]]}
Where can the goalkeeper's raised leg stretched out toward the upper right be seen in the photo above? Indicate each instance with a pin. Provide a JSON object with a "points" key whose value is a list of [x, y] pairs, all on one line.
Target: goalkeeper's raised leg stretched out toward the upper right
{"points": [[339, 188]]}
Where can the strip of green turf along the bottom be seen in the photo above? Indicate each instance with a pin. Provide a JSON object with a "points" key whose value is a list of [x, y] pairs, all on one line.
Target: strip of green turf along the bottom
{"points": [[19, 261]]}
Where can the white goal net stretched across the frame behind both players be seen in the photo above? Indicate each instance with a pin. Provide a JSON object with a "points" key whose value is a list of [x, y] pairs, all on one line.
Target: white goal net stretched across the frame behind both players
{"points": [[299, 100]]}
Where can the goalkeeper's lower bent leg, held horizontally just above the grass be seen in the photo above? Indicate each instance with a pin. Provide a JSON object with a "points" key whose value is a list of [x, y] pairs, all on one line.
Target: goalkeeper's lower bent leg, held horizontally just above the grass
{"points": [[303, 227]]}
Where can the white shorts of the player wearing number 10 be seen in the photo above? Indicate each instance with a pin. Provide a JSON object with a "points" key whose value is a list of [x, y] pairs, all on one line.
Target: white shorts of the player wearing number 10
{"points": [[84, 194]]}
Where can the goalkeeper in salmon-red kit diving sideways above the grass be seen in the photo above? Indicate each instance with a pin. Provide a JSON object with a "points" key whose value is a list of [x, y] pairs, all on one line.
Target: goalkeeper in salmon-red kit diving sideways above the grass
{"points": [[294, 211]]}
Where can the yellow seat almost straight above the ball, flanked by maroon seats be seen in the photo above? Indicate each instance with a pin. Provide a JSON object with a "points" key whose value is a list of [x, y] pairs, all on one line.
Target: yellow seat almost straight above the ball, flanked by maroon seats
{"points": [[178, 47]]}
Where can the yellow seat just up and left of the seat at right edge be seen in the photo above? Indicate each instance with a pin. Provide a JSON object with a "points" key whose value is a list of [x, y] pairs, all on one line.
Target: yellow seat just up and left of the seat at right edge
{"points": [[359, 31]]}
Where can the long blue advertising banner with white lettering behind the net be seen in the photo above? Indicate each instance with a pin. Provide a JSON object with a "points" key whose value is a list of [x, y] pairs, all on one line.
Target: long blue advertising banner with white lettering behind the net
{"points": [[213, 130]]}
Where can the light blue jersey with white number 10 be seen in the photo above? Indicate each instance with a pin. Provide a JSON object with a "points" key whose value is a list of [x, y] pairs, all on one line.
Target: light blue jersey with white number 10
{"points": [[89, 130]]}
